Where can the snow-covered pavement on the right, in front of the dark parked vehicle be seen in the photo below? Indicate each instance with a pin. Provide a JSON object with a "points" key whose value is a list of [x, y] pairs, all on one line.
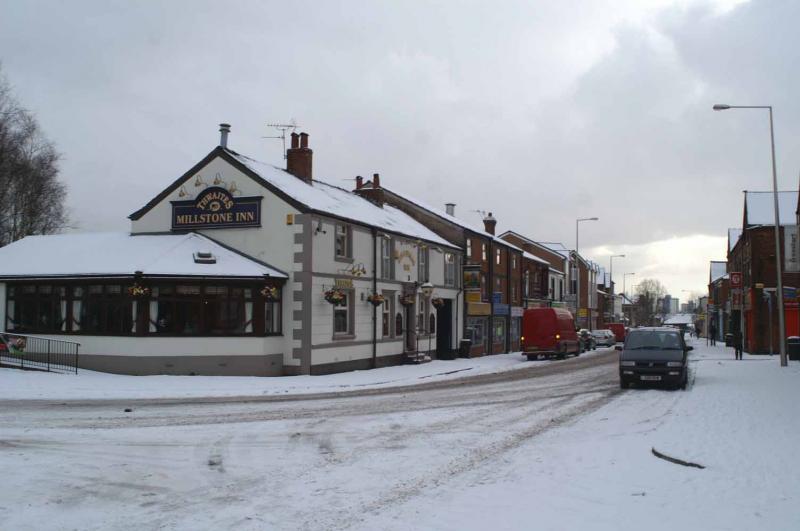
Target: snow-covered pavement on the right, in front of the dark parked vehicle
{"points": [[740, 419]]}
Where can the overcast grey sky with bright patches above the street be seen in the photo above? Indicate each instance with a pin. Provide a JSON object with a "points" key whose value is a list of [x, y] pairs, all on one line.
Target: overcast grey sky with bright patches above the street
{"points": [[538, 111]]}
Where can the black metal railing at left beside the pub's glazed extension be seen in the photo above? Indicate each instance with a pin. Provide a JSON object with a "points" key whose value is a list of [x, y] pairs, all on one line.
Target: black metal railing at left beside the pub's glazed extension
{"points": [[38, 353]]}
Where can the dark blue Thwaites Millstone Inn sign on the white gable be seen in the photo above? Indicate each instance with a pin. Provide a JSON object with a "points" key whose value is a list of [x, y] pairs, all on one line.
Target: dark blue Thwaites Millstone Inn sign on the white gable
{"points": [[216, 208]]}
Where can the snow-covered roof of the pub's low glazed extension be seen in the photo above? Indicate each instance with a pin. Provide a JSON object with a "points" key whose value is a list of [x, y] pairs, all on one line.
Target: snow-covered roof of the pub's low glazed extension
{"points": [[120, 254]]}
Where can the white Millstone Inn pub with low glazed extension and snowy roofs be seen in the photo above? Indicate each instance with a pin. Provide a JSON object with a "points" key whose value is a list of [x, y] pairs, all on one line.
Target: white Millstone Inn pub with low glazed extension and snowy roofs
{"points": [[242, 268]]}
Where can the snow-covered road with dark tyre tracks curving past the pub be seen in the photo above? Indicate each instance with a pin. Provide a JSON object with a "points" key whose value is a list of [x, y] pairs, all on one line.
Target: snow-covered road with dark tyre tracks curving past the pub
{"points": [[279, 464]]}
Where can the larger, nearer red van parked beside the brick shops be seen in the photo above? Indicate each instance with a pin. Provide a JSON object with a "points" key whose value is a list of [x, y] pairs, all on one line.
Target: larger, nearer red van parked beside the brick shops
{"points": [[549, 331]]}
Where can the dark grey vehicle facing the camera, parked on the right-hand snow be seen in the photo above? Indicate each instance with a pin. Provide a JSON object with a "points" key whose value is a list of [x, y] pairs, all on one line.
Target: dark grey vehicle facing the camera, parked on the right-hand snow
{"points": [[654, 356]]}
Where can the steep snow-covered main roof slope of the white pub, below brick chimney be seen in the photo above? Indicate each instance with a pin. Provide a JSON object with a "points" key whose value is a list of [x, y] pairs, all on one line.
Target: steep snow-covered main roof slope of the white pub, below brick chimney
{"points": [[327, 198]]}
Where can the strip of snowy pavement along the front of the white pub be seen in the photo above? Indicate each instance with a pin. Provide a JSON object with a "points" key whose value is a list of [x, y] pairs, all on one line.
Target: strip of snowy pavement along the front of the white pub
{"points": [[88, 385]]}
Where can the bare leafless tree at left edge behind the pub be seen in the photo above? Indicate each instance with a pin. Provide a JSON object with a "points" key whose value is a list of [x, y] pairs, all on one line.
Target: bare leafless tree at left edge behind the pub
{"points": [[31, 195]]}
